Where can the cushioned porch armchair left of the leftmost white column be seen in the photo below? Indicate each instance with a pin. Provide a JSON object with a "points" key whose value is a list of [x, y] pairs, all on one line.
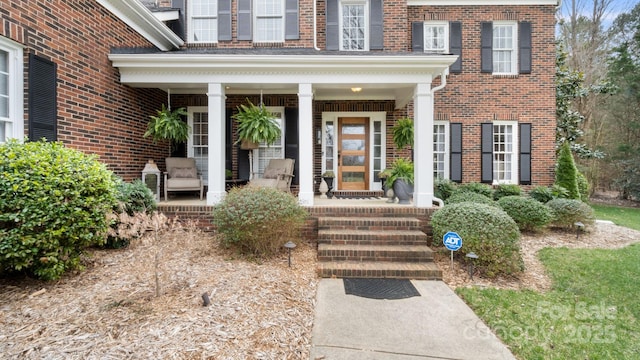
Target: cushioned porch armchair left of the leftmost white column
{"points": [[182, 175]]}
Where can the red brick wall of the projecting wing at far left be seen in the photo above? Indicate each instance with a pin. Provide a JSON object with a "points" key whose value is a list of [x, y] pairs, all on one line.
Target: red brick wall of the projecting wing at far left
{"points": [[96, 114]]}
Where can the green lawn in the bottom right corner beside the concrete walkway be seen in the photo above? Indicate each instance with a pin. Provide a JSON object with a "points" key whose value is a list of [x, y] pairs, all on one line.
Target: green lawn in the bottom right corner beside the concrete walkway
{"points": [[592, 312]]}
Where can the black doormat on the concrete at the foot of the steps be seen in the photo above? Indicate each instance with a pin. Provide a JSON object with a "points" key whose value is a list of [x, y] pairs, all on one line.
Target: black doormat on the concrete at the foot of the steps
{"points": [[390, 289]]}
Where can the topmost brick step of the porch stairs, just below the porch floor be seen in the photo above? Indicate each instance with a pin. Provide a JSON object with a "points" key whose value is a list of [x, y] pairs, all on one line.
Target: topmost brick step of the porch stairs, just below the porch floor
{"points": [[368, 223]]}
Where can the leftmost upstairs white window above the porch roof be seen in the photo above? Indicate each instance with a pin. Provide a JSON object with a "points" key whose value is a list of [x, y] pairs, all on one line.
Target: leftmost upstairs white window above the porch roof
{"points": [[203, 21]]}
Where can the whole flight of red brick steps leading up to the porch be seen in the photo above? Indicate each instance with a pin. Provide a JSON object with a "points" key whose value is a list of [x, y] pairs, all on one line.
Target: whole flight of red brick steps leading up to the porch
{"points": [[374, 247]]}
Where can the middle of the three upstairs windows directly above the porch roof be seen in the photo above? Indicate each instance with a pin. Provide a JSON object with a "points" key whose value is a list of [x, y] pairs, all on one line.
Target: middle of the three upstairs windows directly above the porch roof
{"points": [[269, 21]]}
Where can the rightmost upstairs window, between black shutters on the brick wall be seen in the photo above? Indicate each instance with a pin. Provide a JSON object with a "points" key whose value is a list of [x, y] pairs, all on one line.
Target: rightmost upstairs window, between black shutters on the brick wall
{"points": [[505, 52]]}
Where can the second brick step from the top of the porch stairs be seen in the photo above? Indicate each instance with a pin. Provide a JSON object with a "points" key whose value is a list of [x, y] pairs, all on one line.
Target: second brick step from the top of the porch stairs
{"points": [[369, 237]]}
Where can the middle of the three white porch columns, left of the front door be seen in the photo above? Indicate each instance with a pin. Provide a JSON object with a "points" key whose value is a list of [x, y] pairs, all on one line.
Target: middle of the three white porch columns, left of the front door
{"points": [[305, 141]]}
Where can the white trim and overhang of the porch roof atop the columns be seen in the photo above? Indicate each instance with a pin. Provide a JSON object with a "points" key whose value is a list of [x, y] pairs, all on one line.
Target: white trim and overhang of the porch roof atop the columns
{"points": [[381, 77]]}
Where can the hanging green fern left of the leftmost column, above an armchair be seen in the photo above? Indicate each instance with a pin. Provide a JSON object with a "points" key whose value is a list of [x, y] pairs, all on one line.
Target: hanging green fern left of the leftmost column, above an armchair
{"points": [[168, 125]]}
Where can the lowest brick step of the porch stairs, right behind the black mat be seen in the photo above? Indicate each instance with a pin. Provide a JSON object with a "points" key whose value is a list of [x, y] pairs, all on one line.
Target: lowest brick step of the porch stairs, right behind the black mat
{"points": [[382, 269]]}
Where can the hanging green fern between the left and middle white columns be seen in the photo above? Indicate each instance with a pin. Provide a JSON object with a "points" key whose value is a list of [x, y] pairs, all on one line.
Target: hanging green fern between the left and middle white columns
{"points": [[256, 124]]}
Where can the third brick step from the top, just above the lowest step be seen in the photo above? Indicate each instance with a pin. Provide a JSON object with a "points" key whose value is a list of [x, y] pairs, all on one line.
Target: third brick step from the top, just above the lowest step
{"points": [[409, 253]]}
